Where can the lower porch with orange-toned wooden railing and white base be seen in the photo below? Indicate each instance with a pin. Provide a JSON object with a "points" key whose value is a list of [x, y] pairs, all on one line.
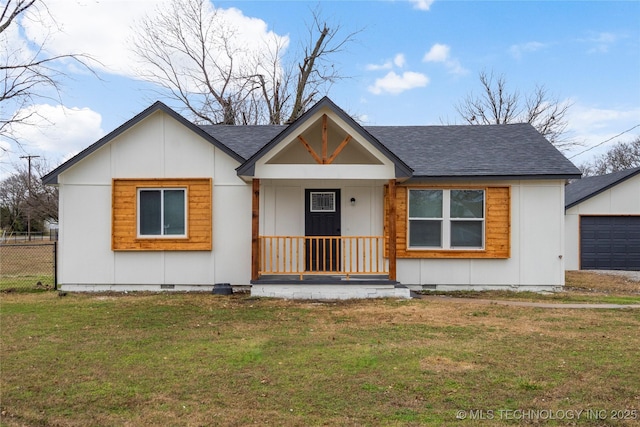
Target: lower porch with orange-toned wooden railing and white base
{"points": [[324, 267]]}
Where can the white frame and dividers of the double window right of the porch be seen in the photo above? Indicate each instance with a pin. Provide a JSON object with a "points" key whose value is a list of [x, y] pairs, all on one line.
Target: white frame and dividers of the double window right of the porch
{"points": [[446, 221]]}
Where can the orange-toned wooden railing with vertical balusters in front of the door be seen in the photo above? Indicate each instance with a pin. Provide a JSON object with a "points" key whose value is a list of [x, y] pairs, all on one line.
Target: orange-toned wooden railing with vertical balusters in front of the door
{"points": [[302, 255]]}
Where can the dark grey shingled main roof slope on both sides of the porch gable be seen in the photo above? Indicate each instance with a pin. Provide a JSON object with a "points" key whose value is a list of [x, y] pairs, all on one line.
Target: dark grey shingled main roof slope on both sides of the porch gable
{"points": [[501, 151]]}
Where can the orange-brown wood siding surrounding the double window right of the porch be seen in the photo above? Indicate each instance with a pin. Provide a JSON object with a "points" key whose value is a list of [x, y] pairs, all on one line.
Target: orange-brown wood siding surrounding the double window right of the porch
{"points": [[497, 225]]}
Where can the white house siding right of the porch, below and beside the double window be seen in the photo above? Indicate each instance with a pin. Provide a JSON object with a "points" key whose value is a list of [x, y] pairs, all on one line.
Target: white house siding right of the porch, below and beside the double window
{"points": [[537, 245]]}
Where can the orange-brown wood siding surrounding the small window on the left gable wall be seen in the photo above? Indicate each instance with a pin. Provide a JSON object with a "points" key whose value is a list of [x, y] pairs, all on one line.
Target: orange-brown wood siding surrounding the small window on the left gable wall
{"points": [[124, 236]]}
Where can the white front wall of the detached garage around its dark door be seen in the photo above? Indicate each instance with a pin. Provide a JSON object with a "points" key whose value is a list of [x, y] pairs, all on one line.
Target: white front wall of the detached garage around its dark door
{"points": [[622, 199]]}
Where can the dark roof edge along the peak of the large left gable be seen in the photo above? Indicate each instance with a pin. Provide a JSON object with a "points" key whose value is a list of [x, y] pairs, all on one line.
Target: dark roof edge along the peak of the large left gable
{"points": [[52, 177]]}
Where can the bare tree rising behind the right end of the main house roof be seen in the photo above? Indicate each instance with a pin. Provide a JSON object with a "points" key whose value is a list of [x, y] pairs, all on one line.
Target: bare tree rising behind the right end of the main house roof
{"points": [[497, 105]]}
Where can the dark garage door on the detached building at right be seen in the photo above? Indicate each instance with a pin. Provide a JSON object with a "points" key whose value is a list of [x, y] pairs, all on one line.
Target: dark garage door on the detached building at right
{"points": [[610, 243]]}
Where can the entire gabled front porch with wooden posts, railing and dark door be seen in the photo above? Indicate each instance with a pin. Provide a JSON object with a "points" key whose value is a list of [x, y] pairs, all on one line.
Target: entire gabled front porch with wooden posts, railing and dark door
{"points": [[318, 213]]}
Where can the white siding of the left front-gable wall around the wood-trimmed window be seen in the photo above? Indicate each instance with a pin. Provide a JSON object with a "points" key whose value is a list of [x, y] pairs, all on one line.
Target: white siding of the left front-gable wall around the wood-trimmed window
{"points": [[157, 147]]}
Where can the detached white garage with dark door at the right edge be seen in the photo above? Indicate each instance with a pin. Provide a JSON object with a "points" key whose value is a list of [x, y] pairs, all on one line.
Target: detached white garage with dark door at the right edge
{"points": [[602, 222]]}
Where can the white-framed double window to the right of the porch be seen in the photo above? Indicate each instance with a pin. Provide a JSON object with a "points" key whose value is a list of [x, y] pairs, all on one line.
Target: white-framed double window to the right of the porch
{"points": [[446, 219]]}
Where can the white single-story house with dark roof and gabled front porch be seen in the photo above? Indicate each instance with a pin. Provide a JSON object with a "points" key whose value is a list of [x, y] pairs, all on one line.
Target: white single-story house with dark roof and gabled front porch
{"points": [[320, 208]]}
